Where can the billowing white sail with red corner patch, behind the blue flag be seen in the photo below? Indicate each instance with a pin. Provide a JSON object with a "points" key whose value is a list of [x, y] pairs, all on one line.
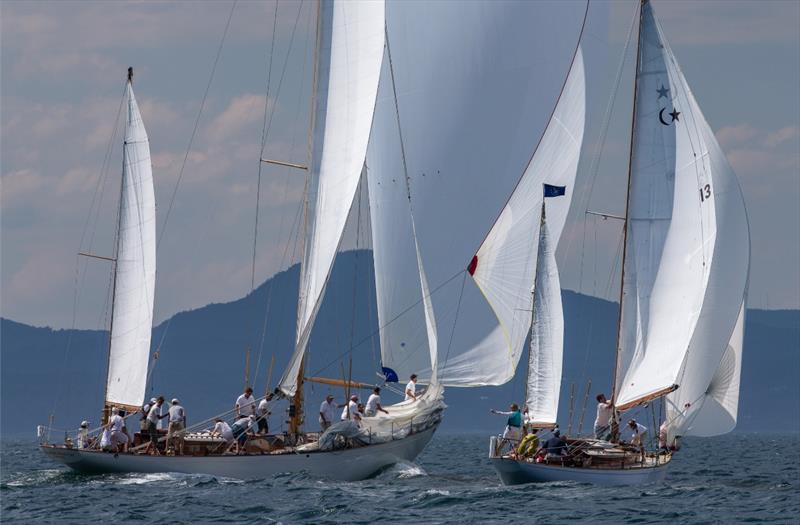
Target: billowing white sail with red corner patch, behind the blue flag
{"points": [[505, 264]]}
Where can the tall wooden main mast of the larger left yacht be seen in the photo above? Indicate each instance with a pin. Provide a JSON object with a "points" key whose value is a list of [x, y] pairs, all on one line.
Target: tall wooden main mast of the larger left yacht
{"points": [[296, 406]]}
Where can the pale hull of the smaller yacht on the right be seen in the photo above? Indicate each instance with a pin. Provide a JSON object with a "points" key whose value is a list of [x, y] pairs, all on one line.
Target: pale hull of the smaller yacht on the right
{"points": [[513, 472]]}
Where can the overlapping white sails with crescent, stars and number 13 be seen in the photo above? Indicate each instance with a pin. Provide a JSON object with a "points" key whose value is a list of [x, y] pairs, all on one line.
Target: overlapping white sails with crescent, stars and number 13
{"points": [[687, 251]]}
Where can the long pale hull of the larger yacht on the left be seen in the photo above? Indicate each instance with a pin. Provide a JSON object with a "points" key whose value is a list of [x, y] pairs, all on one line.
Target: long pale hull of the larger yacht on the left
{"points": [[346, 465]]}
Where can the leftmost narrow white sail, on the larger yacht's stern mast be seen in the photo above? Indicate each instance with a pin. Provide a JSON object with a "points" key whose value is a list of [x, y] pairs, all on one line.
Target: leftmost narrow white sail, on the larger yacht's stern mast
{"points": [[134, 284]]}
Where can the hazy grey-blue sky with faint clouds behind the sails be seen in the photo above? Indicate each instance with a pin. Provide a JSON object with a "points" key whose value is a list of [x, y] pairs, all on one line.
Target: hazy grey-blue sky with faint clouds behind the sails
{"points": [[62, 72]]}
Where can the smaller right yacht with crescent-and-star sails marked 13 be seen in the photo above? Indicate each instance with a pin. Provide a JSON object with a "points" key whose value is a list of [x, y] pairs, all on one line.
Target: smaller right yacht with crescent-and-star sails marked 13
{"points": [[684, 282]]}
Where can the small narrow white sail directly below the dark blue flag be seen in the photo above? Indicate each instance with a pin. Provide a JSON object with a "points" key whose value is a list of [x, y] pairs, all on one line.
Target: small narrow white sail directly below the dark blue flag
{"points": [[547, 336]]}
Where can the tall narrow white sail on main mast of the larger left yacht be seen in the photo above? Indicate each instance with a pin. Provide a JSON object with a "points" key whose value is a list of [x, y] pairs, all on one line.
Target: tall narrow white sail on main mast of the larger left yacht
{"points": [[349, 64]]}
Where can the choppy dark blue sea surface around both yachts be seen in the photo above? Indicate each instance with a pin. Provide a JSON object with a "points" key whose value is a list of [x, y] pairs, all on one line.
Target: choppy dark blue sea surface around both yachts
{"points": [[737, 478]]}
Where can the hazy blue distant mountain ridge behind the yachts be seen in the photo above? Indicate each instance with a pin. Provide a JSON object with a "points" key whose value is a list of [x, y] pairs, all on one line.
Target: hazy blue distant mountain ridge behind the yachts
{"points": [[202, 359]]}
